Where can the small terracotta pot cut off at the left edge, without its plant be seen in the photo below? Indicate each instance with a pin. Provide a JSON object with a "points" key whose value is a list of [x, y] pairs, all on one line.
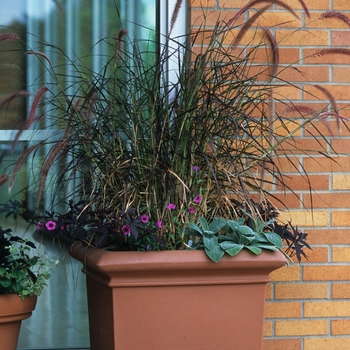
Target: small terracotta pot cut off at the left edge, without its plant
{"points": [[12, 311]]}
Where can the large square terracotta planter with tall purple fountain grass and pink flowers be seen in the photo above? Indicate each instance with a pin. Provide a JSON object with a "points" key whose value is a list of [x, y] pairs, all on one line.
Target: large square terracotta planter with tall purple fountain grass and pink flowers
{"points": [[149, 172]]}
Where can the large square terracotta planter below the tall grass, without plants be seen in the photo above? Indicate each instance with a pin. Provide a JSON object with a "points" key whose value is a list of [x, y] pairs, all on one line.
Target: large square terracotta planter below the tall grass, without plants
{"points": [[175, 299]]}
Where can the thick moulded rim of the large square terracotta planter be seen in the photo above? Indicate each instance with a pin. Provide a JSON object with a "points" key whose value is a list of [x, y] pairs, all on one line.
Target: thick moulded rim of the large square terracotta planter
{"points": [[154, 267]]}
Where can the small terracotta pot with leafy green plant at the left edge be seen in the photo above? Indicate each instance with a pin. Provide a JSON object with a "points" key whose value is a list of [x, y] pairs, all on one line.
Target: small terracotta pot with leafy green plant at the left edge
{"points": [[23, 275]]}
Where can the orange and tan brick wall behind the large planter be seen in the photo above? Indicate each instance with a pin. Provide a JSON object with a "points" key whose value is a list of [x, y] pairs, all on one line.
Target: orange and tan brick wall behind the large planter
{"points": [[308, 304]]}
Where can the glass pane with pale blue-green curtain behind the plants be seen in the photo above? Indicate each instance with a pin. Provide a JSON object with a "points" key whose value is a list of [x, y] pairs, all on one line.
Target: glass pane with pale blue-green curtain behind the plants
{"points": [[83, 32]]}
